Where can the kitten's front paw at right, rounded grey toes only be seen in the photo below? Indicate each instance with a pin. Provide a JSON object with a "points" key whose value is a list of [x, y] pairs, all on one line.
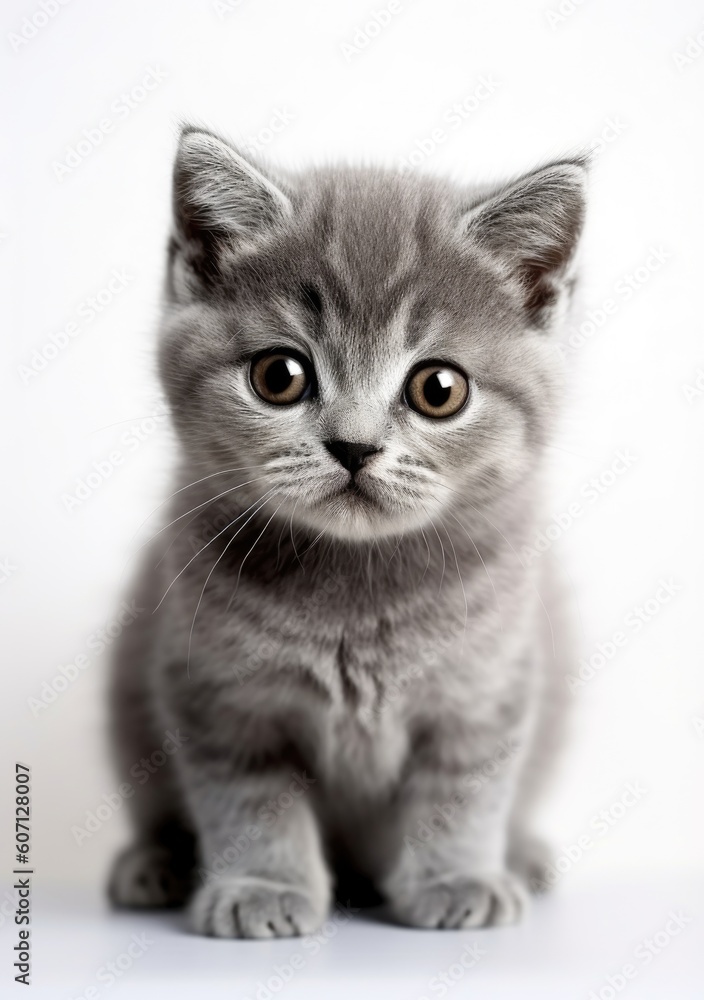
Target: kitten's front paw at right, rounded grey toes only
{"points": [[460, 902]]}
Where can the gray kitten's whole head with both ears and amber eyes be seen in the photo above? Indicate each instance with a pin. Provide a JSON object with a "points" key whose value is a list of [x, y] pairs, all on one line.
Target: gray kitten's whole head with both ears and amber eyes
{"points": [[370, 349]]}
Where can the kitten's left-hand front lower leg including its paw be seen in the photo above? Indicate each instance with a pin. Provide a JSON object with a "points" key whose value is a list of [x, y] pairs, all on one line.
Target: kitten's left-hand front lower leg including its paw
{"points": [[262, 863]]}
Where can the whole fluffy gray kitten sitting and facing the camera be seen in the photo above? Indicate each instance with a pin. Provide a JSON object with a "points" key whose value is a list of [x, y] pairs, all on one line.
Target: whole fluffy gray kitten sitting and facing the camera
{"points": [[354, 670]]}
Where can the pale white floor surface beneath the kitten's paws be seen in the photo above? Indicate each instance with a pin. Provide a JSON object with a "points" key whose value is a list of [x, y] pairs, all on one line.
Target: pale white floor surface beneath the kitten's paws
{"points": [[570, 945]]}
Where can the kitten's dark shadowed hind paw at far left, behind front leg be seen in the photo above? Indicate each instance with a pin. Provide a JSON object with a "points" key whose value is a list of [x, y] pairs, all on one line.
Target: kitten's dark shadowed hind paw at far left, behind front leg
{"points": [[148, 875]]}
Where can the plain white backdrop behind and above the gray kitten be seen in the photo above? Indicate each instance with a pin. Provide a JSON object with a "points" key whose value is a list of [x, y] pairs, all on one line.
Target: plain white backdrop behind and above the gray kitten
{"points": [[601, 70]]}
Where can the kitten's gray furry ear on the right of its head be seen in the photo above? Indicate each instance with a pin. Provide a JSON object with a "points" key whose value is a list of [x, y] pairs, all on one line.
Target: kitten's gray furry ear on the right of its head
{"points": [[530, 229]]}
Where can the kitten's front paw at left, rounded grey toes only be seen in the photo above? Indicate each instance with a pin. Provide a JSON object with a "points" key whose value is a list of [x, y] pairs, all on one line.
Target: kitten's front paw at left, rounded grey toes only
{"points": [[250, 907]]}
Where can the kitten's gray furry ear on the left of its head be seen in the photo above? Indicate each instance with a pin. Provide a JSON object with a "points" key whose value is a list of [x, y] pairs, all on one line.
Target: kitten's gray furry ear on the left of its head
{"points": [[220, 197]]}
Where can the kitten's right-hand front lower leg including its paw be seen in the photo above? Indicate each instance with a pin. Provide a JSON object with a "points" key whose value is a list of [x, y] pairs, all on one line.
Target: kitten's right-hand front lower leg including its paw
{"points": [[451, 840]]}
